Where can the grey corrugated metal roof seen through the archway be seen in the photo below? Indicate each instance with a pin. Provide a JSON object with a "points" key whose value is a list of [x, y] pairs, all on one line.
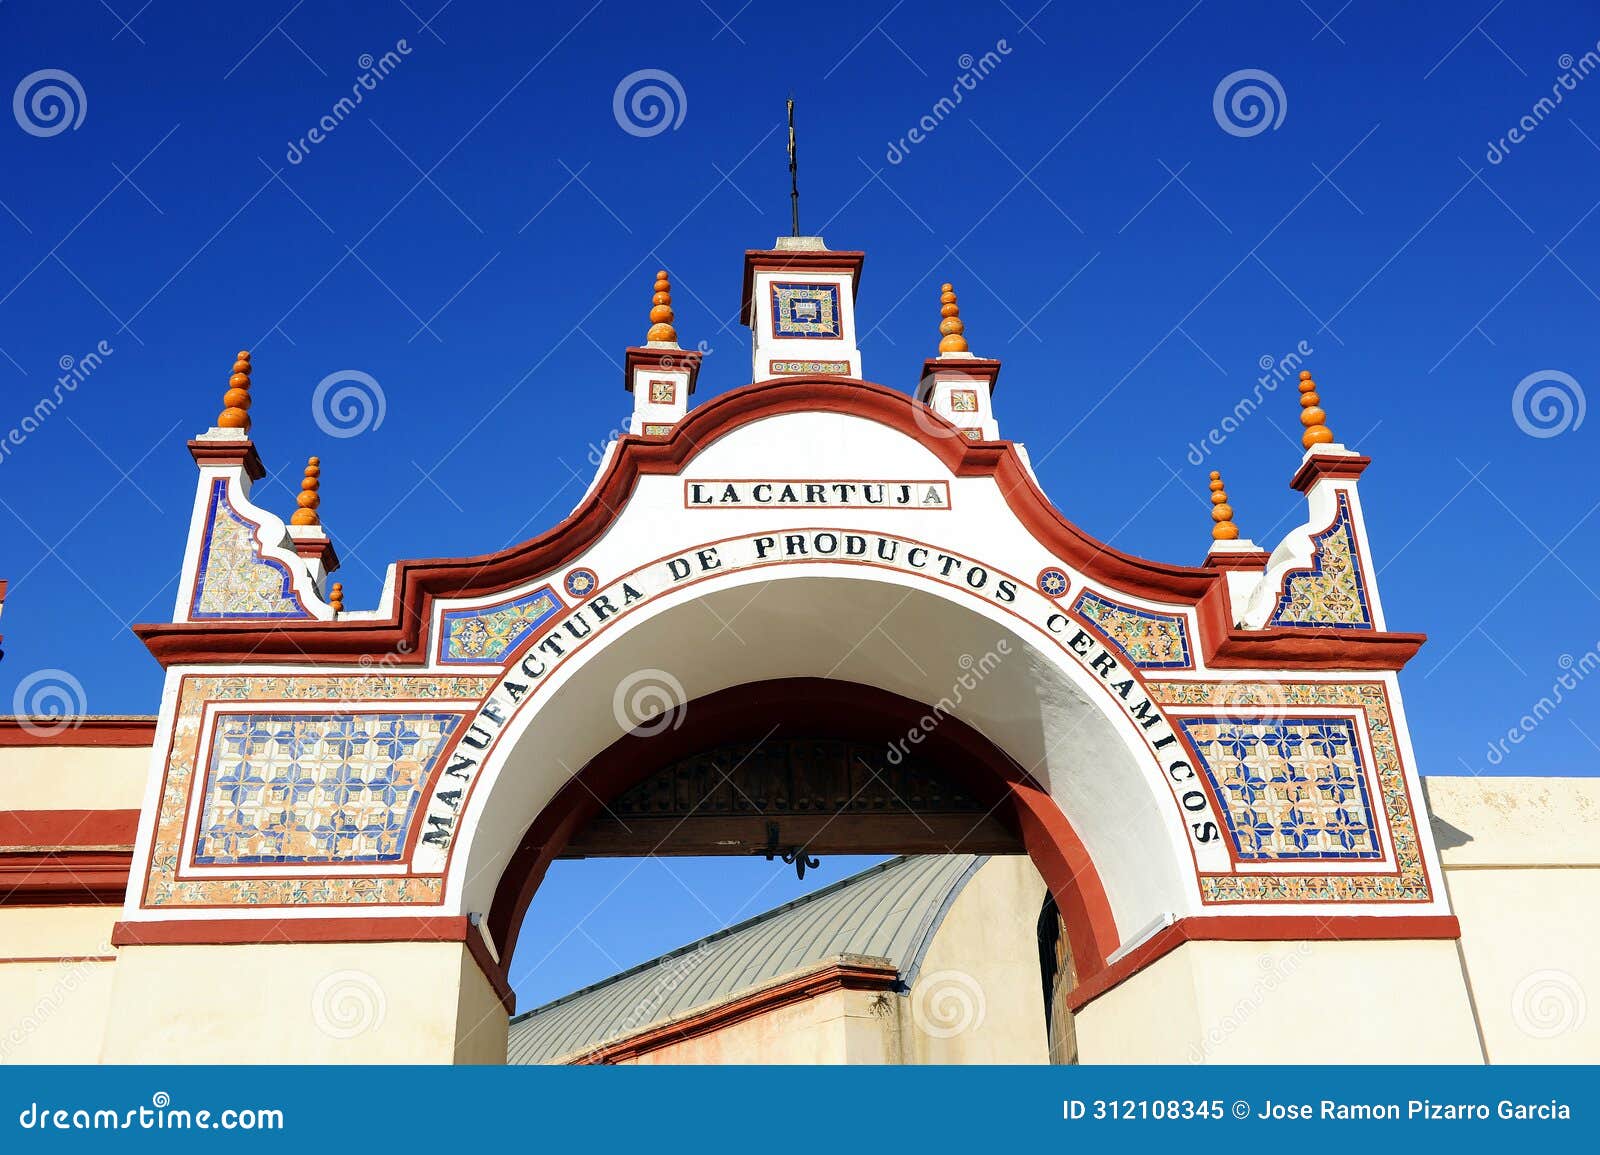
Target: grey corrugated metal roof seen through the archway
{"points": [[889, 913]]}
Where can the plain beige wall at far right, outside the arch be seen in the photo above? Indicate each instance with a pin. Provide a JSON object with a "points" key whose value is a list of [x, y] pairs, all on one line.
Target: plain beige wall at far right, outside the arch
{"points": [[1522, 863]]}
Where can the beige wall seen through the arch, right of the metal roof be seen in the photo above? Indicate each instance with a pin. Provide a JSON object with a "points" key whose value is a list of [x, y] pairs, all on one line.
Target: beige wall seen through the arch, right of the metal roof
{"points": [[978, 996]]}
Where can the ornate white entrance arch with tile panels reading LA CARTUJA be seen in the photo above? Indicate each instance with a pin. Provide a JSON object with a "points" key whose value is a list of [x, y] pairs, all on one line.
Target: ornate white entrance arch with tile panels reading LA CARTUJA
{"points": [[1193, 756]]}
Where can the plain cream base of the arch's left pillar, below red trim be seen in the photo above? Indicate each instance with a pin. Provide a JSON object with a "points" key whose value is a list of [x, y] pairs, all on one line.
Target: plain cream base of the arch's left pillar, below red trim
{"points": [[359, 1002]]}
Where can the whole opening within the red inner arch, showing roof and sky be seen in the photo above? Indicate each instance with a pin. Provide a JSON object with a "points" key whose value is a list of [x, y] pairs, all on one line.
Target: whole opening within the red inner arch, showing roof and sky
{"points": [[798, 773]]}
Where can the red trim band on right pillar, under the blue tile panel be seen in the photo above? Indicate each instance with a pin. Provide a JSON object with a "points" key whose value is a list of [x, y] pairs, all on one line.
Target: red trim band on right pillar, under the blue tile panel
{"points": [[1265, 929]]}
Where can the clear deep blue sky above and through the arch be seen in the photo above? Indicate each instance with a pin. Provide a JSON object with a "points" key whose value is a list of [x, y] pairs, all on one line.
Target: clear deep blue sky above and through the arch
{"points": [[481, 234]]}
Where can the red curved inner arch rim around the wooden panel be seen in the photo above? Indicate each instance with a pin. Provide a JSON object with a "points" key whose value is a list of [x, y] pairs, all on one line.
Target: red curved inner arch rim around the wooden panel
{"points": [[842, 709]]}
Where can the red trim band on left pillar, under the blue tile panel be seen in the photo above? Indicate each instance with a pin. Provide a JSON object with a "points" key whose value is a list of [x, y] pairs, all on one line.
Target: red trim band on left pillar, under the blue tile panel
{"points": [[258, 932]]}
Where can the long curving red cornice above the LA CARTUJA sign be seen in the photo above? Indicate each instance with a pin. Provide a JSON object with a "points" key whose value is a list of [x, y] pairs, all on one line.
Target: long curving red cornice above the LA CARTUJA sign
{"points": [[399, 641]]}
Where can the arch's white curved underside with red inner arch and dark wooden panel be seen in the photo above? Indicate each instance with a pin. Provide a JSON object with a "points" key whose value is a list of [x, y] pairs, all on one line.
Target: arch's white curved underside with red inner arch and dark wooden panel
{"points": [[1002, 730]]}
